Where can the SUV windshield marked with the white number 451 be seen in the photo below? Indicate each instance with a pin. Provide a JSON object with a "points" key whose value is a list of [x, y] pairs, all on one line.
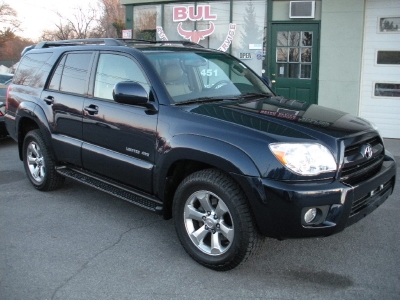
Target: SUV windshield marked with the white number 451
{"points": [[192, 76]]}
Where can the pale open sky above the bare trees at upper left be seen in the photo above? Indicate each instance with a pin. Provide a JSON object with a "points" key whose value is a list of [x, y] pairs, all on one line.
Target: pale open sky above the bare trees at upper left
{"points": [[39, 15]]}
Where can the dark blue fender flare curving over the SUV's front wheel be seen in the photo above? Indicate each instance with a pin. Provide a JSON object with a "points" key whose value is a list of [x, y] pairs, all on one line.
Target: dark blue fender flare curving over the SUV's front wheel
{"points": [[213, 152]]}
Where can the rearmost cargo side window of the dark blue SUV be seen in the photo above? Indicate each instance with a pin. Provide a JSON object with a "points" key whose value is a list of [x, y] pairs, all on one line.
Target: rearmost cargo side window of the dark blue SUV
{"points": [[33, 70]]}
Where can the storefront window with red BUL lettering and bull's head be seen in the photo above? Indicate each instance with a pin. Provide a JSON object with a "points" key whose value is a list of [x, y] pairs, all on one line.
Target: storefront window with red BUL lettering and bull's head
{"points": [[211, 24]]}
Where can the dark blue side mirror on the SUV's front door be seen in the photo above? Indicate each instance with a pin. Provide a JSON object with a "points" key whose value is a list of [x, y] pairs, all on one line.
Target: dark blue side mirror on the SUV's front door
{"points": [[129, 92]]}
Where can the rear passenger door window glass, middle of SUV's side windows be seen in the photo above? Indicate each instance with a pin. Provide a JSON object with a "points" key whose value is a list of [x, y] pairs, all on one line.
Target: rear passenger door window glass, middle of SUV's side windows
{"points": [[71, 74]]}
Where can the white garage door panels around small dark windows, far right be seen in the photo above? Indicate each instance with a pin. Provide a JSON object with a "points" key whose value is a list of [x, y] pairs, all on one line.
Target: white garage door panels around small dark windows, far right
{"points": [[383, 111]]}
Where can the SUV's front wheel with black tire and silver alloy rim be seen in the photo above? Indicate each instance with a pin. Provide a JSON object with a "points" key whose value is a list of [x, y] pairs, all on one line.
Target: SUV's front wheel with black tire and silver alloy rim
{"points": [[213, 221]]}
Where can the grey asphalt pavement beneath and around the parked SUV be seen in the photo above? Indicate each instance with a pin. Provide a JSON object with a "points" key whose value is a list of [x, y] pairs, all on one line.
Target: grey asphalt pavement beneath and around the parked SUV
{"points": [[80, 243]]}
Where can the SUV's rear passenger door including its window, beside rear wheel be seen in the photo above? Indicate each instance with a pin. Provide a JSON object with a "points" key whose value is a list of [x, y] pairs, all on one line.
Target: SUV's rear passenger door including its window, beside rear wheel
{"points": [[64, 96]]}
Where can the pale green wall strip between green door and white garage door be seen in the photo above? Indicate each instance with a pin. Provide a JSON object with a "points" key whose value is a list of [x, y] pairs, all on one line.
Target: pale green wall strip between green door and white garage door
{"points": [[342, 24]]}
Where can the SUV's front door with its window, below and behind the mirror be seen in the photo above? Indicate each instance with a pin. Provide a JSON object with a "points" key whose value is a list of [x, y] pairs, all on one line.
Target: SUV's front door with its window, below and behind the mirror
{"points": [[119, 139]]}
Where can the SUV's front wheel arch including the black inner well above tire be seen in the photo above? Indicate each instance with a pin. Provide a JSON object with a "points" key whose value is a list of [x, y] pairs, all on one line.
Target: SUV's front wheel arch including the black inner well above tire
{"points": [[191, 153]]}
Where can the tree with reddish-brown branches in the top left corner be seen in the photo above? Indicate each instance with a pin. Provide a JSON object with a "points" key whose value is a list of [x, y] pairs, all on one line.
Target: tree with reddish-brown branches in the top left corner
{"points": [[9, 21]]}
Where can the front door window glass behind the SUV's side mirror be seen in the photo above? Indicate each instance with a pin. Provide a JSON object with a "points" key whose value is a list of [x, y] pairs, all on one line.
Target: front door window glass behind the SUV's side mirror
{"points": [[114, 68]]}
